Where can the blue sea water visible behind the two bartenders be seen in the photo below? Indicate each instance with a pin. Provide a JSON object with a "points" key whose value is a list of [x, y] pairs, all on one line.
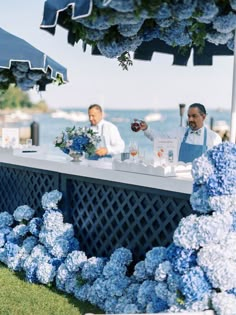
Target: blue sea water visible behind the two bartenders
{"points": [[50, 127]]}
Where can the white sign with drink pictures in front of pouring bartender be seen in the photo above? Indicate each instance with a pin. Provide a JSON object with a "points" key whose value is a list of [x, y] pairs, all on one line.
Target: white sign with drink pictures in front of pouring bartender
{"points": [[165, 151]]}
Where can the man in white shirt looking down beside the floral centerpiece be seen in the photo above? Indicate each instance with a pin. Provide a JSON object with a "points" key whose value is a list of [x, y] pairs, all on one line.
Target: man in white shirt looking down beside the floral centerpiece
{"points": [[113, 143]]}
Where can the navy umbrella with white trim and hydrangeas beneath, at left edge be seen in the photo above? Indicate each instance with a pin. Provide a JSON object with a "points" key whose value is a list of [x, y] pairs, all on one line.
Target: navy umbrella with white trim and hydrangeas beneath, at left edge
{"points": [[25, 65]]}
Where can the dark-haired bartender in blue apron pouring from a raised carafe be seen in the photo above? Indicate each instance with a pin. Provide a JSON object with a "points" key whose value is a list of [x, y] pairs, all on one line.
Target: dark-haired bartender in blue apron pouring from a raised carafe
{"points": [[193, 140]]}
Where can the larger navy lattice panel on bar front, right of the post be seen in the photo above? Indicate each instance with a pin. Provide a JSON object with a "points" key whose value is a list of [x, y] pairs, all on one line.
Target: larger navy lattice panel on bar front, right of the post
{"points": [[108, 217]]}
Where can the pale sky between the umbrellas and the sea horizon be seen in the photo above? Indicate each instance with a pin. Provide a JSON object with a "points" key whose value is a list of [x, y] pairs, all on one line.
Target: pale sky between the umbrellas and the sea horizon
{"points": [[151, 85]]}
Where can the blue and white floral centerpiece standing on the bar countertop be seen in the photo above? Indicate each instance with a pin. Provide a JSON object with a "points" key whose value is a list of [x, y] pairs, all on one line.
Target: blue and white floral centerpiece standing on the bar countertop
{"points": [[77, 141]]}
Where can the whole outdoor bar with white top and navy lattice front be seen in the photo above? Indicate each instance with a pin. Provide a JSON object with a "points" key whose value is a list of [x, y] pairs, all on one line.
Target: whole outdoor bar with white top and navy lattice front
{"points": [[108, 208]]}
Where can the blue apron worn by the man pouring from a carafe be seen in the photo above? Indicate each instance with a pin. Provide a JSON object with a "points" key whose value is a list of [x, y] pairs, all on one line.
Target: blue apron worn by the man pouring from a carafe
{"points": [[188, 152]]}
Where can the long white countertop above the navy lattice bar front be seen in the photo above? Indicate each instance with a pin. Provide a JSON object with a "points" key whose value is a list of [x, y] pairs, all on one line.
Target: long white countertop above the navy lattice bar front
{"points": [[57, 161]]}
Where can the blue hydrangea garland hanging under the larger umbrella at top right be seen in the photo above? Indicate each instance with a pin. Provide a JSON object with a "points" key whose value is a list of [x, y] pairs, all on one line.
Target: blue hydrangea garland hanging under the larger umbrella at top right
{"points": [[126, 24]]}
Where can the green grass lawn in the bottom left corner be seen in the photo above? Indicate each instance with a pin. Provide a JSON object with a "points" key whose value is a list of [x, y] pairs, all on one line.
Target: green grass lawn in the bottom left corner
{"points": [[18, 297]]}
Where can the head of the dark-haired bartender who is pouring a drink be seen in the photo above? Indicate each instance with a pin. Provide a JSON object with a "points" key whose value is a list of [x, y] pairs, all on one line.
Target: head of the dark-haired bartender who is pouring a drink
{"points": [[196, 116]]}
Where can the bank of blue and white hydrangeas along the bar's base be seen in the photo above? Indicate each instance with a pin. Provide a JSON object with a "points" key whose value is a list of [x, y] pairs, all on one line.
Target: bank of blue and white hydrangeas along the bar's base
{"points": [[196, 272]]}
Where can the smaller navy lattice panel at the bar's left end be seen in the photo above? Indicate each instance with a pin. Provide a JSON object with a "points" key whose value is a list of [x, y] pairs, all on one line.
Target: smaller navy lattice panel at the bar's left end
{"points": [[19, 186]]}
